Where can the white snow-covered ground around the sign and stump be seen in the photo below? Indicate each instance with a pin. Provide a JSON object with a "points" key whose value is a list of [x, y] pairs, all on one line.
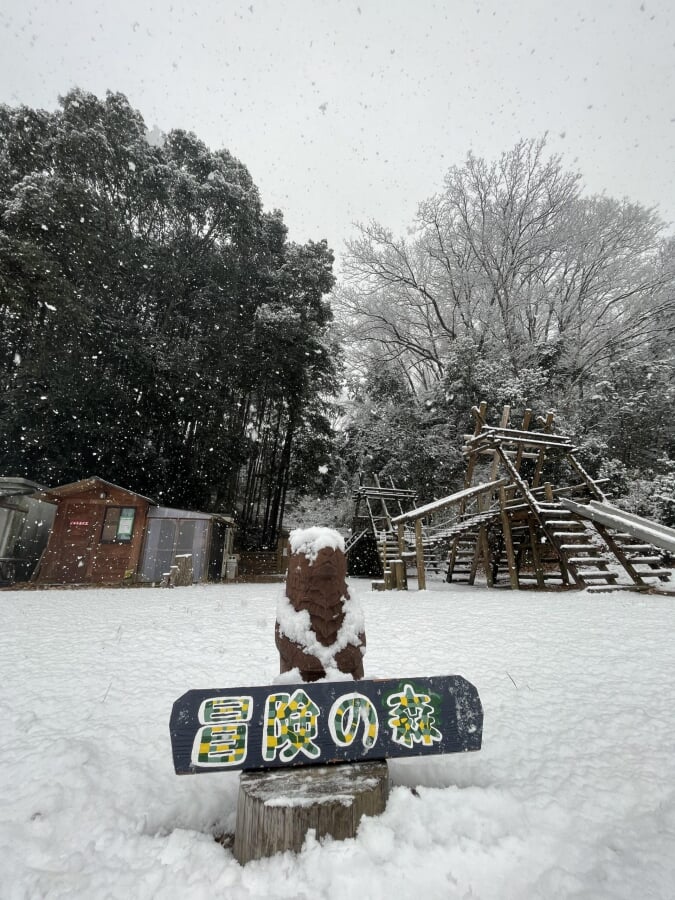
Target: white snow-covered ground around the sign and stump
{"points": [[573, 794]]}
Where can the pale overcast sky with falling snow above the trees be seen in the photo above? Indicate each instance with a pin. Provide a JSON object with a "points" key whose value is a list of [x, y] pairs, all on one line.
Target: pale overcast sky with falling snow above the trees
{"points": [[347, 110]]}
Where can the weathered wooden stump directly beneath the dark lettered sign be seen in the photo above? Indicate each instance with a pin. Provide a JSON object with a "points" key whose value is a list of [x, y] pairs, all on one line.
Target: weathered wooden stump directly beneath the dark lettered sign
{"points": [[277, 808]]}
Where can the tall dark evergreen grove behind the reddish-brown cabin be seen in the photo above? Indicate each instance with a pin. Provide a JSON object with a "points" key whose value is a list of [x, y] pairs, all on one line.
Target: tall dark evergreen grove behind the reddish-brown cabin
{"points": [[155, 320]]}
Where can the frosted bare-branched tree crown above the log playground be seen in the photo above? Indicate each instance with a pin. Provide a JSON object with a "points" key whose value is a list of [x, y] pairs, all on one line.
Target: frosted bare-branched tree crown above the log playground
{"points": [[512, 258]]}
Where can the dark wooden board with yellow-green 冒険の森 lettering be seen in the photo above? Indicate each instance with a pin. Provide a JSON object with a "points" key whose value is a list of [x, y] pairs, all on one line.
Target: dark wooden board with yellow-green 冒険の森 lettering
{"points": [[323, 722]]}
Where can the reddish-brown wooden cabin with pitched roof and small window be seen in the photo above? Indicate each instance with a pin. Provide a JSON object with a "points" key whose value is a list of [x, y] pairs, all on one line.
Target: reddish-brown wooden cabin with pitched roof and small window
{"points": [[97, 534]]}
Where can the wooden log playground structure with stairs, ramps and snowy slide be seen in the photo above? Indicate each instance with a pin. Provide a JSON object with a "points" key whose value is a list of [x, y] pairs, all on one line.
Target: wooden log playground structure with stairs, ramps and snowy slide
{"points": [[528, 515]]}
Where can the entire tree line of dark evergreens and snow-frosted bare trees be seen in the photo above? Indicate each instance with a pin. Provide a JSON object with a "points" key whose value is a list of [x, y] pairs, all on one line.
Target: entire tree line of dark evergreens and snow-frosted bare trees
{"points": [[160, 330]]}
